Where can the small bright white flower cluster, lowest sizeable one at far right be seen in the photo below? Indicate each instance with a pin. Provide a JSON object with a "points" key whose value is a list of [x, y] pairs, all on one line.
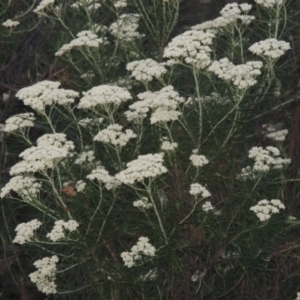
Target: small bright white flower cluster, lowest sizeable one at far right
{"points": [[265, 208]]}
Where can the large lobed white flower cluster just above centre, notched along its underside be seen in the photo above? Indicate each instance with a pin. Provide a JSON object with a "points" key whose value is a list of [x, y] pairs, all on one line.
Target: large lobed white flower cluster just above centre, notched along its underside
{"points": [[163, 103]]}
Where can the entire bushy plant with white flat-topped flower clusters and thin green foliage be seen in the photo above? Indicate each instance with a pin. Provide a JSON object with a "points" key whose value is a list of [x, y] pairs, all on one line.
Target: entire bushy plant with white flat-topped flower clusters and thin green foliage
{"points": [[152, 168]]}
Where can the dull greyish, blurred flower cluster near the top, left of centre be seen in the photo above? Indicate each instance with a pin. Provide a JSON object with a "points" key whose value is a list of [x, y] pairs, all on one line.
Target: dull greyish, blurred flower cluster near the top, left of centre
{"points": [[125, 28]]}
